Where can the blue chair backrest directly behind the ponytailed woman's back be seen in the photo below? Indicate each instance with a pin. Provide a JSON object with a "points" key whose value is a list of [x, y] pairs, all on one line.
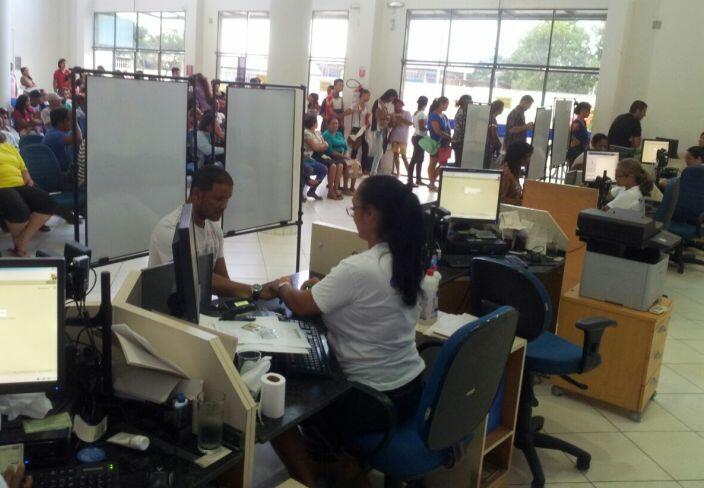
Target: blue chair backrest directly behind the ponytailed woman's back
{"points": [[465, 377]]}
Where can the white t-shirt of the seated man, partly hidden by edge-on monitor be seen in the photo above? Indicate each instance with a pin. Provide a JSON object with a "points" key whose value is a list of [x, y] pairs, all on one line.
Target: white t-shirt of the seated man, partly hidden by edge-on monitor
{"points": [[209, 239]]}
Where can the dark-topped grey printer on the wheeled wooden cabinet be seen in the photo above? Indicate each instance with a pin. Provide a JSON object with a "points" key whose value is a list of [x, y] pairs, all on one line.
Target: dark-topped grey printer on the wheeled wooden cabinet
{"points": [[626, 260]]}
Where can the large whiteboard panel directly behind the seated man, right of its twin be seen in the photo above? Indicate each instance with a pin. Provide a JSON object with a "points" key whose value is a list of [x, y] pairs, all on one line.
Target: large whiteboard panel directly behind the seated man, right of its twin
{"points": [[263, 154]]}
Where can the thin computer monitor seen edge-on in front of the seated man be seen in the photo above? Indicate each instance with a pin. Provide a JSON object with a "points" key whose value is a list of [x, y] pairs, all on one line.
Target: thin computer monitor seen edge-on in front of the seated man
{"points": [[185, 253]]}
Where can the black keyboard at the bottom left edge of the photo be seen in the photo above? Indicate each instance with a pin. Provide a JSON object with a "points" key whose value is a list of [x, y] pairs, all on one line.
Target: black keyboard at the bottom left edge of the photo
{"points": [[102, 475]]}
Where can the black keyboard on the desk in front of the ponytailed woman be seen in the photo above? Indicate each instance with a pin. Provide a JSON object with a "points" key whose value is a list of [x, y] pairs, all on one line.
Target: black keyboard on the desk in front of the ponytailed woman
{"points": [[315, 363]]}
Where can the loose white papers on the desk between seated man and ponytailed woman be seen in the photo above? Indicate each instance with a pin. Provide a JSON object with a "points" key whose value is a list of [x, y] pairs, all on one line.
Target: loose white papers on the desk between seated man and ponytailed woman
{"points": [[267, 334]]}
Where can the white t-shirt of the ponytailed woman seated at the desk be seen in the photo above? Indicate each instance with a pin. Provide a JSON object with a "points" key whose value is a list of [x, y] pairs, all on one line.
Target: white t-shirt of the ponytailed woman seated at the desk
{"points": [[371, 330]]}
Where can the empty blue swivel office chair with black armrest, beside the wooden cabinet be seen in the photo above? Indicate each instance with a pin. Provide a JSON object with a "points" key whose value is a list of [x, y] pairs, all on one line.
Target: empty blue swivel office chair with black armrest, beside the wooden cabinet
{"points": [[497, 283]]}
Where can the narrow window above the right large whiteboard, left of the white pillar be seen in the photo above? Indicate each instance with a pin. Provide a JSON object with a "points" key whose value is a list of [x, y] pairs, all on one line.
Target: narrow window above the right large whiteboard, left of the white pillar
{"points": [[243, 46]]}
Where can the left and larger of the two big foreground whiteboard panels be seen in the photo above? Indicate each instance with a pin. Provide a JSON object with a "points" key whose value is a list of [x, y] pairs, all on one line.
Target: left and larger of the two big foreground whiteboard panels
{"points": [[136, 161]]}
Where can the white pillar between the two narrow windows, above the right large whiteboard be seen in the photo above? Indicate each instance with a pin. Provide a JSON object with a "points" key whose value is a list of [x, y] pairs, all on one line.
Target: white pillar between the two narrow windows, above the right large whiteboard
{"points": [[289, 41]]}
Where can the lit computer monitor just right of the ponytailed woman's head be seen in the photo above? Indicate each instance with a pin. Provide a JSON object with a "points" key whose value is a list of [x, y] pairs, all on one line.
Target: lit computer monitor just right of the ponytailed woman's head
{"points": [[470, 194]]}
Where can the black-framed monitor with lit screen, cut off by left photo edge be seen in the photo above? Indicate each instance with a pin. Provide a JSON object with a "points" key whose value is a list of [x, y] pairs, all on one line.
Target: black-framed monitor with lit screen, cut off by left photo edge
{"points": [[31, 325]]}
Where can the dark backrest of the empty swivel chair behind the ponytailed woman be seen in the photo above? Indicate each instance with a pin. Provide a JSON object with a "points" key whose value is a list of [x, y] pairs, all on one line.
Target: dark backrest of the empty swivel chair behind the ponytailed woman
{"points": [[495, 283]]}
